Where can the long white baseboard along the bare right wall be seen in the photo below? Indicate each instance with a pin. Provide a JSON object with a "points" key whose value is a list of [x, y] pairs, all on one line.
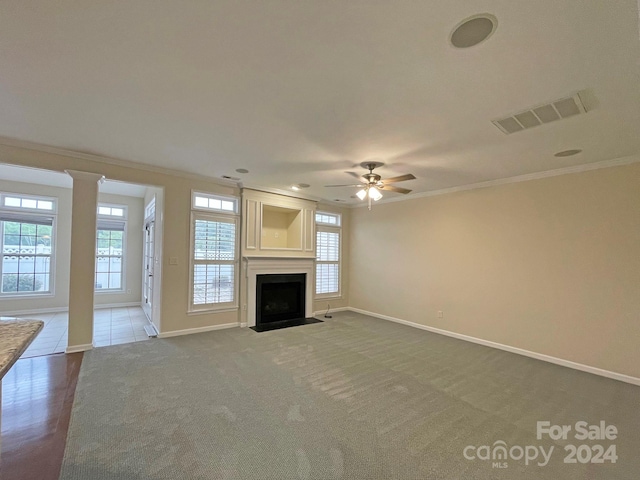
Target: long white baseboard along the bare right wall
{"points": [[520, 351]]}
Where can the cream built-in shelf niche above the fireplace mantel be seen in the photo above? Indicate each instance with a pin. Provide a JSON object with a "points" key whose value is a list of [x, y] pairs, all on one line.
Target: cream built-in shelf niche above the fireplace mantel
{"points": [[277, 225]]}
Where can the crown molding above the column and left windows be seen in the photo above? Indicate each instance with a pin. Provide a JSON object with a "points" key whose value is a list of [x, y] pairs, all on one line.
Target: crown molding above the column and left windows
{"points": [[39, 147]]}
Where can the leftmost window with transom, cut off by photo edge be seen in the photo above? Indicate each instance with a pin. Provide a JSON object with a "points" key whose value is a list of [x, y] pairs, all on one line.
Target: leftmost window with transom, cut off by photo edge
{"points": [[26, 241]]}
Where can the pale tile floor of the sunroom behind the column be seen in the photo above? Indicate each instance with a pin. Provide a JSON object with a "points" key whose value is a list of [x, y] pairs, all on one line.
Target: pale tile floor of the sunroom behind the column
{"points": [[111, 326]]}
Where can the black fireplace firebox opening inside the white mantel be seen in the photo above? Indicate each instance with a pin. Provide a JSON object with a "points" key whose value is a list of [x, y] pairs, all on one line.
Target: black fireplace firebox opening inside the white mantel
{"points": [[279, 298]]}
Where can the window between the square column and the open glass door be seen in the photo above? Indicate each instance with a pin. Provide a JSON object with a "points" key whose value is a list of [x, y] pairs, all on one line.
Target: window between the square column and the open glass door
{"points": [[110, 247]]}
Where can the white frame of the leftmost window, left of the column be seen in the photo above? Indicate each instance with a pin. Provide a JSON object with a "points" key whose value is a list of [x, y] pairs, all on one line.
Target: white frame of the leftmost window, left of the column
{"points": [[23, 215]]}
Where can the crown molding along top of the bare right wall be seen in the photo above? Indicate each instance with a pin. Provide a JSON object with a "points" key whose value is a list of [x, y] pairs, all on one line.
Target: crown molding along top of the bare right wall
{"points": [[616, 162]]}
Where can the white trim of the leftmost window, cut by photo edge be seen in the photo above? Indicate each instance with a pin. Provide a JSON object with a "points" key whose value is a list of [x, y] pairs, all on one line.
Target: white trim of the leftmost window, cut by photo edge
{"points": [[34, 213]]}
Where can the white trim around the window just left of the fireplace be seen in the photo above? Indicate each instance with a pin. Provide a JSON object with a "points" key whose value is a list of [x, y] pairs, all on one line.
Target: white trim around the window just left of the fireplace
{"points": [[217, 216]]}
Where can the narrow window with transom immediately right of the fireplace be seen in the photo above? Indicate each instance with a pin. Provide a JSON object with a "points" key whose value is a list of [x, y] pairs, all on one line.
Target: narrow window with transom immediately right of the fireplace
{"points": [[328, 232]]}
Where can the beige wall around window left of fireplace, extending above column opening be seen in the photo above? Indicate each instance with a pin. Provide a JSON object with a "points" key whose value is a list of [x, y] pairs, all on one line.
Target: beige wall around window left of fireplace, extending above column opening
{"points": [[175, 237]]}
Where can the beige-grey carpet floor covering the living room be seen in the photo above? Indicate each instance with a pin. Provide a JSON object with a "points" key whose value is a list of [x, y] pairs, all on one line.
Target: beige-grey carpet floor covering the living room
{"points": [[352, 398]]}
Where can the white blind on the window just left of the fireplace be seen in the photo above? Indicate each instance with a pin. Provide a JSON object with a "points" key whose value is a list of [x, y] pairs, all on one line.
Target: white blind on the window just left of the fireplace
{"points": [[213, 261]]}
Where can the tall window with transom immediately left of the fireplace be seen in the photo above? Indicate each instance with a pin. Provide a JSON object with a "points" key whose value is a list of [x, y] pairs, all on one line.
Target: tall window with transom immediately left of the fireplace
{"points": [[214, 253]]}
